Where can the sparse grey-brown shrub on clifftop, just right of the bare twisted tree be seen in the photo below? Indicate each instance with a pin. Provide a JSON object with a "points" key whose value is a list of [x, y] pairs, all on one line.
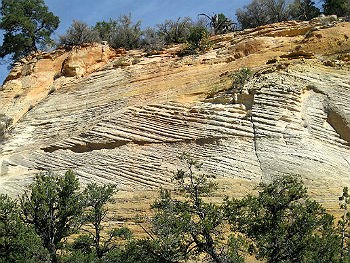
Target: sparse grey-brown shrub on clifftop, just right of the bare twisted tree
{"points": [[262, 12]]}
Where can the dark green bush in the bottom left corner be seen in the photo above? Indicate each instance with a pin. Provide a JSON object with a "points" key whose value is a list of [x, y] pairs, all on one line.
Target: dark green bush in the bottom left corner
{"points": [[18, 241]]}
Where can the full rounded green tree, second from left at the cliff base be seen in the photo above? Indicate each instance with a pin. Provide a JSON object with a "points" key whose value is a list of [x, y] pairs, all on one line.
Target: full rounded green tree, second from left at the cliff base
{"points": [[53, 206]]}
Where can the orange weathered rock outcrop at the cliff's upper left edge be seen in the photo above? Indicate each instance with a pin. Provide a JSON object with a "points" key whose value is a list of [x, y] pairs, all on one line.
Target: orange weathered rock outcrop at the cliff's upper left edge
{"points": [[35, 77]]}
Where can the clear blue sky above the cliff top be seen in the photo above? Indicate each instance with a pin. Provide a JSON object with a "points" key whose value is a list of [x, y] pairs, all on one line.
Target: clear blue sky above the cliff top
{"points": [[150, 12]]}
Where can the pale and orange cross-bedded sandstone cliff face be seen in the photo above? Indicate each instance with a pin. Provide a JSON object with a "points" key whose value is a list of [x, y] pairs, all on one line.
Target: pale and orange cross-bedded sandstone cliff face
{"points": [[123, 117]]}
